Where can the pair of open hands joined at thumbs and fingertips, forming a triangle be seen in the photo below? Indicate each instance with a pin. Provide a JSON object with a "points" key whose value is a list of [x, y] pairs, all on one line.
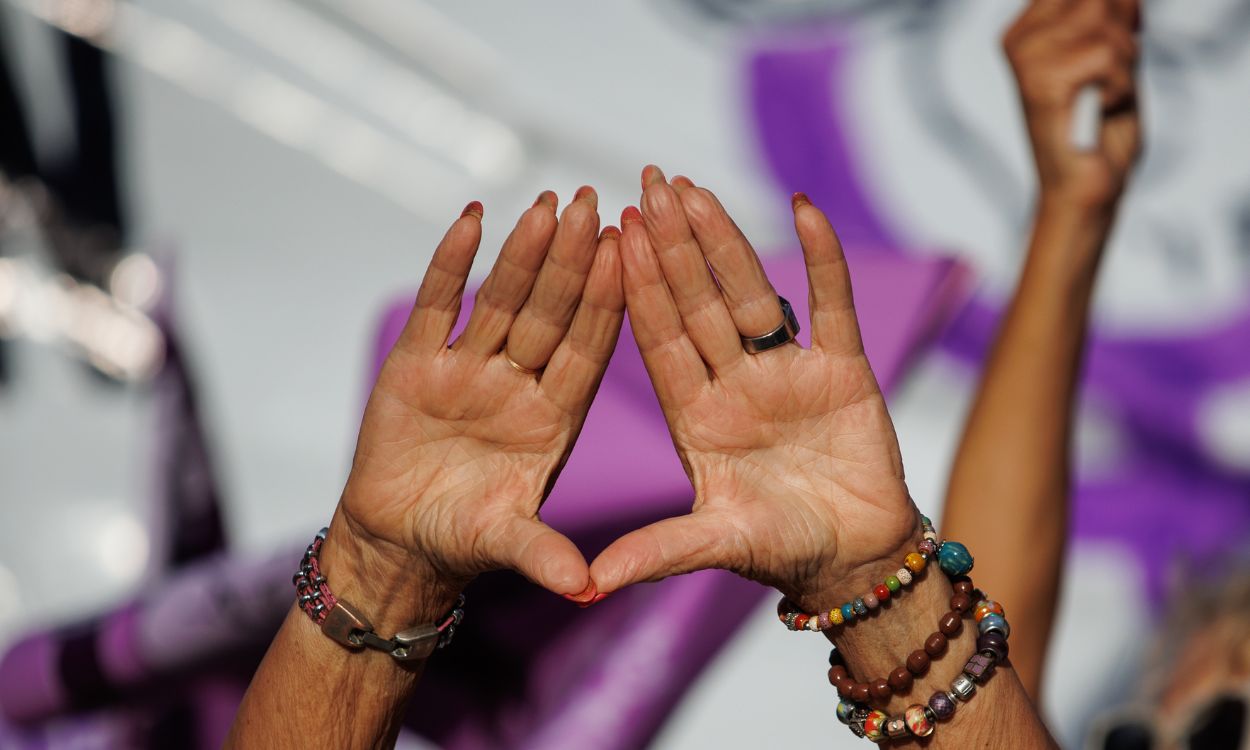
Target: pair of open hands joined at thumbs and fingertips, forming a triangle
{"points": [[792, 453]]}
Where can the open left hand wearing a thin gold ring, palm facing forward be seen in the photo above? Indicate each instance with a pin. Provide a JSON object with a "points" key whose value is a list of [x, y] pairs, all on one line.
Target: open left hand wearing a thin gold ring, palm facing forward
{"points": [[459, 447]]}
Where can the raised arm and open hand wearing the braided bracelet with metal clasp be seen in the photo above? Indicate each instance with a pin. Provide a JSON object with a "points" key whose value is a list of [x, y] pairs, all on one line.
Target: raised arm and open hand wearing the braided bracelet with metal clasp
{"points": [[458, 449]]}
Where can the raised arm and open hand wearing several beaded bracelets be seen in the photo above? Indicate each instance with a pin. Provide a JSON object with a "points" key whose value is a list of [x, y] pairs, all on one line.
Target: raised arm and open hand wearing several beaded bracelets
{"points": [[797, 473]]}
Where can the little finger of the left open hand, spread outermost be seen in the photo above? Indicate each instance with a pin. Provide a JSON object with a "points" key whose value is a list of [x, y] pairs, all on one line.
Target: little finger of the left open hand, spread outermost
{"points": [[438, 302]]}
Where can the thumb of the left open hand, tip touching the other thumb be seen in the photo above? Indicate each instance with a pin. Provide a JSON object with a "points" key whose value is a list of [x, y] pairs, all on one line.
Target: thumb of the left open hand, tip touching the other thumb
{"points": [[542, 554]]}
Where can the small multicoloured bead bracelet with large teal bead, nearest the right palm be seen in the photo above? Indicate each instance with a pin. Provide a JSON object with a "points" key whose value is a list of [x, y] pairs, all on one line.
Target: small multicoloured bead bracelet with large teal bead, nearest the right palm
{"points": [[953, 558]]}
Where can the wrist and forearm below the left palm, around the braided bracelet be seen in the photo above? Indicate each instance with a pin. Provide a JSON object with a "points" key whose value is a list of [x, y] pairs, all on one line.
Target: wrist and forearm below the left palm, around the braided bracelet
{"points": [[309, 687]]}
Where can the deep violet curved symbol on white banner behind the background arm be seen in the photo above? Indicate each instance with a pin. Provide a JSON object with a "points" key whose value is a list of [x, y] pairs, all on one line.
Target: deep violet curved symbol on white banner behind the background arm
{"points": [[1168, 499]]}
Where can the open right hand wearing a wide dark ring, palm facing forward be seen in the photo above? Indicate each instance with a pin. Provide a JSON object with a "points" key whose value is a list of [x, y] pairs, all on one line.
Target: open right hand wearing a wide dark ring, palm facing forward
{"points": [[789, 451]]}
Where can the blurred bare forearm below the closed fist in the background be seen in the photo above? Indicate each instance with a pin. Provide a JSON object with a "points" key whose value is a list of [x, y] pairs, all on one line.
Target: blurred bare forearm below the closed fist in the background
{"points": [[1009, 486]]}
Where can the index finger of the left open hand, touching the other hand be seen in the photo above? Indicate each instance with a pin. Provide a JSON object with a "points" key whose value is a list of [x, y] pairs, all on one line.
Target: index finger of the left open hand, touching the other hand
{"points": [[579, 362]]}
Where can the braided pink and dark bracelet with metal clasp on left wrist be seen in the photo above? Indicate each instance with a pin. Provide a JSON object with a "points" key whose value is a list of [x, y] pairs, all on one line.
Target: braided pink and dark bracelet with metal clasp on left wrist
{"points": [[346, 626]]}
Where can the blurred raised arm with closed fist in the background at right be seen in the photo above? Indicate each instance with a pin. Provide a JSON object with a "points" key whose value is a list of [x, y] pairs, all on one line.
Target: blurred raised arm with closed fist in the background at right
{"points": [[1009, 487]]}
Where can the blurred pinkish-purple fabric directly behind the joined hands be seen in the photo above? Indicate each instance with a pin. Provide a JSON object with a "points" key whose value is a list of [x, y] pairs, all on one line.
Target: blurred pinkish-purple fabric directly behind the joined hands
{"points": [[608, 677]]}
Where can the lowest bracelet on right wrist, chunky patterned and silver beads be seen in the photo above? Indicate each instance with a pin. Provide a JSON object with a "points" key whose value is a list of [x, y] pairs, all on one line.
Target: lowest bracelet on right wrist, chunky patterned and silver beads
{"points": [[921, 721]]}
